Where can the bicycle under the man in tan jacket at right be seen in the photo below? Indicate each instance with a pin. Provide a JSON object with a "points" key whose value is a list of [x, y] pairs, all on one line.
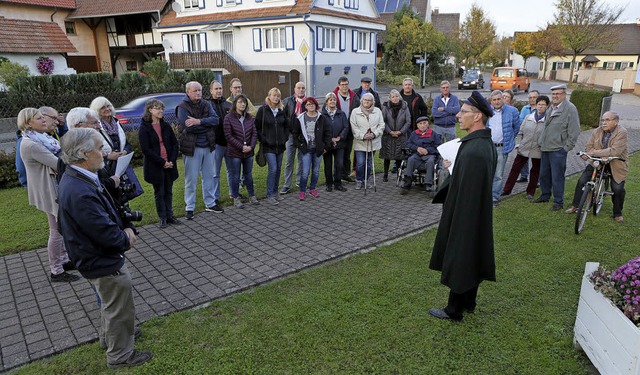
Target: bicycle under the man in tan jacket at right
{"points": [[594, 190]]}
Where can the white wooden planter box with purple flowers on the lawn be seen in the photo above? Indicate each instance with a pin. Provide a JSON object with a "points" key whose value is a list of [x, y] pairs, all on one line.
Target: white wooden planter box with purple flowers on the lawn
{"points": [[608, 321]]}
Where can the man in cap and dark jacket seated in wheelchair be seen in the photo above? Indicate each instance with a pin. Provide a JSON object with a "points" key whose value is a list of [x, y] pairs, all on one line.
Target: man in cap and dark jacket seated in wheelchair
{"points": [[423, 143]]}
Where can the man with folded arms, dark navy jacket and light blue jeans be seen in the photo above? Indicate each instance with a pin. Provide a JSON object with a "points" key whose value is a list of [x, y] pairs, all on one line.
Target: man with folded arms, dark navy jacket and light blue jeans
{"points": [[197, 122]]}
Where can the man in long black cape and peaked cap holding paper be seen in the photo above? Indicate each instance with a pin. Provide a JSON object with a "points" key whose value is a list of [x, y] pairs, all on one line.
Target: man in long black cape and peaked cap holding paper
{"points": [[463, 249]]}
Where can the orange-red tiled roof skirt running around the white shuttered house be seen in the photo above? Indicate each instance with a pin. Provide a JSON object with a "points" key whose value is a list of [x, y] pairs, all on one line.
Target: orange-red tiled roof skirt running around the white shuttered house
{"points": [[301, 7]]}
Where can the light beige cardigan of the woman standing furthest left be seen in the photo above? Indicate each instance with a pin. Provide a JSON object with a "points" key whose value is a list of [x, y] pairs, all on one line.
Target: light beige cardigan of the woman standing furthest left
{"points": [[41, 166]]}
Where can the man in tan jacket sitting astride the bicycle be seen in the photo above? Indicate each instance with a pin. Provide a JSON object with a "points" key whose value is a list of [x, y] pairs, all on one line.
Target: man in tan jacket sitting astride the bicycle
{"points": [[608, 140]]}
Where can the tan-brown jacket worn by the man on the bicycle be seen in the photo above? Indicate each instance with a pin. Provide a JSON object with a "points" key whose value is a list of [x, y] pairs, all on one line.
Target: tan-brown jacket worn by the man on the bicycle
{"points": [[617, 147]]}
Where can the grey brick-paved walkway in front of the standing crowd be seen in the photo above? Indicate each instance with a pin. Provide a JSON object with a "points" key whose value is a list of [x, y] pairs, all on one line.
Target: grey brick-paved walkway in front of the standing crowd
{"points": [[214, 256]]}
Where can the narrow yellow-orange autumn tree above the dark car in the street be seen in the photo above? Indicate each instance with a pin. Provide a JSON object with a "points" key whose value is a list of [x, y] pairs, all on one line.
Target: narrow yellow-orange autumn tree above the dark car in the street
{"points": [[476, 34]]}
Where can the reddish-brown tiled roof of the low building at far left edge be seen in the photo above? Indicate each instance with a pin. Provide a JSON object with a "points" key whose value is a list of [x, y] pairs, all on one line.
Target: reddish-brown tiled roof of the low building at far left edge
{"points": [[26, 36]]}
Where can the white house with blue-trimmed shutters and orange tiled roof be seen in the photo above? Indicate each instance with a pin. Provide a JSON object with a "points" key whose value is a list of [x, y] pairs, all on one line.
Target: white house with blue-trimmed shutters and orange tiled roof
{"points": [[322, 39]]}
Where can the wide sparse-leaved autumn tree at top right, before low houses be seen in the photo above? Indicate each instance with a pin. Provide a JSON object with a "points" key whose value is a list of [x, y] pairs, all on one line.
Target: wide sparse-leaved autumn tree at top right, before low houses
{"points": [[586, 24]]}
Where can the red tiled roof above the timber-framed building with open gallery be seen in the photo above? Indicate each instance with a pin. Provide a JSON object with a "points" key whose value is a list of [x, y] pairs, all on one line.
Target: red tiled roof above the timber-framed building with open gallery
{"points": [[103, 8]]}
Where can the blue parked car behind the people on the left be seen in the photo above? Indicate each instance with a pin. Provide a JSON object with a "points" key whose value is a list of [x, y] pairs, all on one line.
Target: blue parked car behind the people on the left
{"points": [[130, 114]]}
